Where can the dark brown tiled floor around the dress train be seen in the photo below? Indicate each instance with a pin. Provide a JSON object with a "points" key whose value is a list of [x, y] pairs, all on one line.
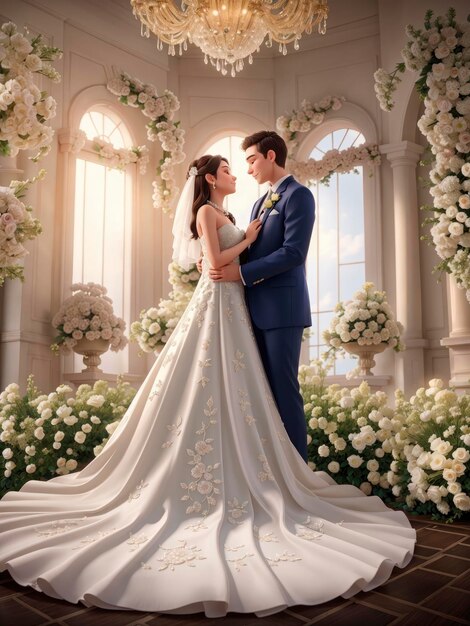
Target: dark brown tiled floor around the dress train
{"points": [[433, 590]]}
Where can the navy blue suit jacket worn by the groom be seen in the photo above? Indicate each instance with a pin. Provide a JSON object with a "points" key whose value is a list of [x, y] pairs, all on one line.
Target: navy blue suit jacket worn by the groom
{"points": [[274, 271]]}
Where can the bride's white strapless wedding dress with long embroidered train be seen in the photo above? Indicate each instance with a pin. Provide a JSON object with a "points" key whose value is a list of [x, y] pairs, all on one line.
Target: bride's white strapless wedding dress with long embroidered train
{"points": [[199, 502]]}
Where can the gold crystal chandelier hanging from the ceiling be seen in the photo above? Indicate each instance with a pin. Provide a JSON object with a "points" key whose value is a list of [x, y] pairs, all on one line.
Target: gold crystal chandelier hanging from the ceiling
{"points": [[229, 31]]}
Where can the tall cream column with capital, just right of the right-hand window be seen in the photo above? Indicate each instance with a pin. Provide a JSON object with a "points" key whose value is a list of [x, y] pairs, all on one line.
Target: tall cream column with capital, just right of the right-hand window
{"points": [[409, 365]]}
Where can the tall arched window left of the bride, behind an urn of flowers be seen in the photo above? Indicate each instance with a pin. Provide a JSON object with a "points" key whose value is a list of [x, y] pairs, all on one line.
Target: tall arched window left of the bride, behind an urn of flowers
{"points": [[102, 223]]}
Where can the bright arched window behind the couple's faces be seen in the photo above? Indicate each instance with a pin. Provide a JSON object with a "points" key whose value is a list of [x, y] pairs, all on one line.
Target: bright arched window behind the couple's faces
{"points": [[248, 190]]}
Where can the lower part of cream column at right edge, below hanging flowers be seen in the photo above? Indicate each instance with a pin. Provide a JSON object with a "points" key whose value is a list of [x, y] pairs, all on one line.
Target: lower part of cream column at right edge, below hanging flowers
{"points": [[458, 341]]}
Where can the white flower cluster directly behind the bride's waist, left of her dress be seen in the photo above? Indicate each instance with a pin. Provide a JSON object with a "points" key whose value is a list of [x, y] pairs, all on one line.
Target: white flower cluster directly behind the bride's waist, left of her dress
{"points": [[155, 325]]}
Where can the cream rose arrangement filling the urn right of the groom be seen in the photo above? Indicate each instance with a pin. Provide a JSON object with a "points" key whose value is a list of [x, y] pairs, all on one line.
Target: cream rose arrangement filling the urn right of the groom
{"points": [[366, 319]]}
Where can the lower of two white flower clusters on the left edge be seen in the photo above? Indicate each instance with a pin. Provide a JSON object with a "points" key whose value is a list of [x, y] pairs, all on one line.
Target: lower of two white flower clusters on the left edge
{"points": [[16, 226]]}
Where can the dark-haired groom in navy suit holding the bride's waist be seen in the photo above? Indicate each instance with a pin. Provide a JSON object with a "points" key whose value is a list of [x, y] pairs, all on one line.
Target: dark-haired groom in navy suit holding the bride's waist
{"points": [[274, 276]]}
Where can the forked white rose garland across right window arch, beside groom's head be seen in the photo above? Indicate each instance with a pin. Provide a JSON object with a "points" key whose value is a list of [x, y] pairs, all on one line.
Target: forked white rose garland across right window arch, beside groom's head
{"points": [[303, 120]]}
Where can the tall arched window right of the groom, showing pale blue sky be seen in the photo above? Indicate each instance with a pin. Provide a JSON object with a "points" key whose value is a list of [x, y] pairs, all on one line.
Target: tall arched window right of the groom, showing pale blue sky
{"points": [[336, 259]]}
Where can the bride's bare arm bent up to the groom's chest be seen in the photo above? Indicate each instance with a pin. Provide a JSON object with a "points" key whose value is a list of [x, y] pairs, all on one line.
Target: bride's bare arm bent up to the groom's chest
{"points": [[207, 220]]}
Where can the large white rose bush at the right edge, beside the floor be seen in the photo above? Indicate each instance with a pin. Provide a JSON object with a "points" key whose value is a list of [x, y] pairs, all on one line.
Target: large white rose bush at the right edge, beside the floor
{"points": [[433, 450]]}
